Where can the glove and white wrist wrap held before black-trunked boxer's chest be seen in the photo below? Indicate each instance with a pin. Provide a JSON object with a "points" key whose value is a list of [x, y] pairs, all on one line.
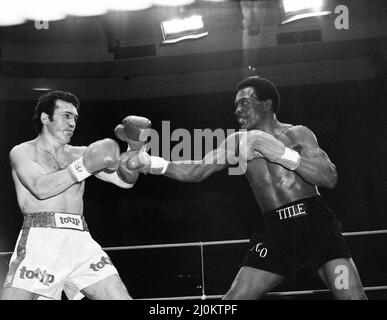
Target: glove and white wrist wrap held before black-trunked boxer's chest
{"points": [[256, 143]]}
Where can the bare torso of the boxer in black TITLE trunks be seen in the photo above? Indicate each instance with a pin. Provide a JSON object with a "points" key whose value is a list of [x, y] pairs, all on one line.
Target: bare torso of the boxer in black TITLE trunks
{"points": [[273, 185]]}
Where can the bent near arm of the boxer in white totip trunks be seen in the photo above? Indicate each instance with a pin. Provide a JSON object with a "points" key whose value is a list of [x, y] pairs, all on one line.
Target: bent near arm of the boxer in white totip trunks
{"points": [[35, 178]]}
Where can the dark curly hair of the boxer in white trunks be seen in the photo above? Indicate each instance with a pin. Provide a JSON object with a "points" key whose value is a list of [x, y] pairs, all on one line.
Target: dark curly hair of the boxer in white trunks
{"points": [[47, 103]]}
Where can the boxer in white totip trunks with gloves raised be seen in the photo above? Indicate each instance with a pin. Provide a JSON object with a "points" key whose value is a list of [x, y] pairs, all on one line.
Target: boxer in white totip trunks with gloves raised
{"points": [[55, 251]]}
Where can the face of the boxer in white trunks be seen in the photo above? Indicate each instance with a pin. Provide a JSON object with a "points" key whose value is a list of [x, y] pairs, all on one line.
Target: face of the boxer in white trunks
{"points": [[63, 122]]}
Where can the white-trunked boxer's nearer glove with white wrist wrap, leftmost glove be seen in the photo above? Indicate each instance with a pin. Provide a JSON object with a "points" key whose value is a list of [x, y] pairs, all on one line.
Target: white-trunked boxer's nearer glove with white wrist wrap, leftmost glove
{"points": [[100, 155]]}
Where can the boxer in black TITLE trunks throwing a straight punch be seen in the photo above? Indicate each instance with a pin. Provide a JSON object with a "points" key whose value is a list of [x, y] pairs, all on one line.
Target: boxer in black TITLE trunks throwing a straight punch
{"points": [[285, 167]]}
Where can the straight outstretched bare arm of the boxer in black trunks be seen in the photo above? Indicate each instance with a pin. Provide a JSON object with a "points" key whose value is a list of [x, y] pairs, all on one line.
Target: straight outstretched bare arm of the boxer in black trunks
{"points": [[214, 161]]}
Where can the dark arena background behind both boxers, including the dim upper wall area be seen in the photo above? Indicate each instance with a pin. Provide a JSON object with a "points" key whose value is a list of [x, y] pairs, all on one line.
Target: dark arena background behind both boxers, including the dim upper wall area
{"points": [[332, 81]]}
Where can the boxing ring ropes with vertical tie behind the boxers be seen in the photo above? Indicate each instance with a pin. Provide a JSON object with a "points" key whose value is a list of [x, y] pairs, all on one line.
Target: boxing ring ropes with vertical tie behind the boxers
{"points": [[201, 245]]}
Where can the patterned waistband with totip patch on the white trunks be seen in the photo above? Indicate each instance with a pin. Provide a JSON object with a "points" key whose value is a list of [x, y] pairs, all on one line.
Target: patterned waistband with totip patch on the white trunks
{"points": [[56, 220]]}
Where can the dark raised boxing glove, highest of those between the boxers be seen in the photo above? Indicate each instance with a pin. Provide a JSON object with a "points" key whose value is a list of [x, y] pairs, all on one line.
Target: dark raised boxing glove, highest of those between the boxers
{"points": [[134, 130]]}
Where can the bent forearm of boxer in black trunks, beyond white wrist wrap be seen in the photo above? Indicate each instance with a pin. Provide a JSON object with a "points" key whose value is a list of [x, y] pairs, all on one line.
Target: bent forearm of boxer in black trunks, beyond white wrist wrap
{"points": [[319, 172]]}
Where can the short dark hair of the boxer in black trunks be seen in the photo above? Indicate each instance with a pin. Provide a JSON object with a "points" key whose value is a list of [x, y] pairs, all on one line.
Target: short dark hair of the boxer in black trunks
{"points": [[264, 89]]}
